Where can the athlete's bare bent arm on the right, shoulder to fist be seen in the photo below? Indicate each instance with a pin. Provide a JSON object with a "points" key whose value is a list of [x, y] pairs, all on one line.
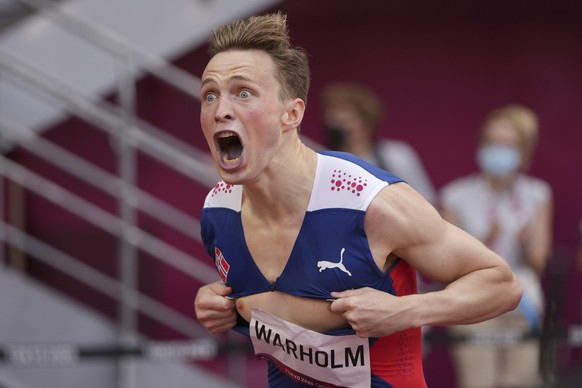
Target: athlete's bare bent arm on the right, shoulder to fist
{"points": [[480, 285]]}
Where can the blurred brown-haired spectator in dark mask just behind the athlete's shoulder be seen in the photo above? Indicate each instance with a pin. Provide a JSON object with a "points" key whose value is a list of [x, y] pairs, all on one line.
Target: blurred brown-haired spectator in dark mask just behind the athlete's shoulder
{"points": [[352, 115]]}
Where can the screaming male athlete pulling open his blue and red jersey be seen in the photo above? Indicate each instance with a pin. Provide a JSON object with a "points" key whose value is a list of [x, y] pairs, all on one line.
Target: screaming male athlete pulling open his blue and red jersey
{"points": [[318, 251]]}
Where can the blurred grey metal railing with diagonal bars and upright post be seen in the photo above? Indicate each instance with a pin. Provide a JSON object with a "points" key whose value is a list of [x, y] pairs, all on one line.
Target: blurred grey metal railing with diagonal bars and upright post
{"points": [[132, 134]]}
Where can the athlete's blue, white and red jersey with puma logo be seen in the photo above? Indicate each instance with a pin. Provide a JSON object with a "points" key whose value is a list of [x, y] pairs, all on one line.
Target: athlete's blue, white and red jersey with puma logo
{"points": [[331, 253]]}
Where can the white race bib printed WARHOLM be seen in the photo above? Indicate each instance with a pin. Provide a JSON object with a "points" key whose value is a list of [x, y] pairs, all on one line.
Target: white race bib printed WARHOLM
{"points": [[308, 357]]}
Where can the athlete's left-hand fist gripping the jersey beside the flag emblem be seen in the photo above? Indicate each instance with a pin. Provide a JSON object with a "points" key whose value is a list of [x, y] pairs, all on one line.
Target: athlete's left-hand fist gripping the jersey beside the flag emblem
{"points": [[215, 312]]}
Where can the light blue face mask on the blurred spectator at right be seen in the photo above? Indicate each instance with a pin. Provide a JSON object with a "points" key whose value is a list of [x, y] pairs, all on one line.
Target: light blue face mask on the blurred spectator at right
{"points": [[498, 160]]}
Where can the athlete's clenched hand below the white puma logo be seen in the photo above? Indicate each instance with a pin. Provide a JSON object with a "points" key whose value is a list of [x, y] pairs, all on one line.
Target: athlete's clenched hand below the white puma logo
{"points": [[372, 313]]}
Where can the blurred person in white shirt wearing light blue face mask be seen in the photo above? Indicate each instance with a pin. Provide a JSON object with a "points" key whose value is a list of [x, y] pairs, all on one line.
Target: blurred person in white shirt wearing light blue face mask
{"points": [[511, 213]]}
